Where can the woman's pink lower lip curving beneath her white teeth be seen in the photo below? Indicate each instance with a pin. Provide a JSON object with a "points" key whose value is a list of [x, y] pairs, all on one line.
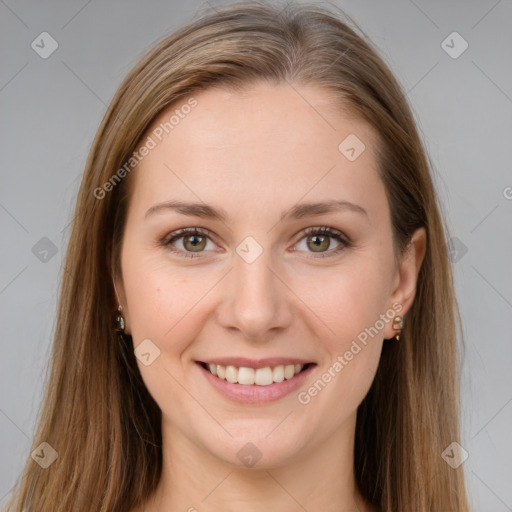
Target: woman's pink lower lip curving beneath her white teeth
{"points": [[253, 394]]}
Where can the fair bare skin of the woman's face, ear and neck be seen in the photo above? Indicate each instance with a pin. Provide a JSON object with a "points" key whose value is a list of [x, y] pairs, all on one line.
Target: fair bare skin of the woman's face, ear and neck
{"points": [[256, 154]]}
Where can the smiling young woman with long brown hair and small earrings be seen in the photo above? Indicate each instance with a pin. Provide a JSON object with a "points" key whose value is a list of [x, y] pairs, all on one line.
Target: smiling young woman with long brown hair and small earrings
{"points": [[258, 309]]}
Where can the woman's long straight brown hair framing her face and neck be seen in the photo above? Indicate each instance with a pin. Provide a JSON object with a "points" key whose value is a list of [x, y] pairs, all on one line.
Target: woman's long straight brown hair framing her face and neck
{"points": [[97, 413]]}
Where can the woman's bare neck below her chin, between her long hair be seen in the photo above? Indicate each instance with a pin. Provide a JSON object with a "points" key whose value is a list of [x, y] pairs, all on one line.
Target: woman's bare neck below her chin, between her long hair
{"points": [[318, 479]]}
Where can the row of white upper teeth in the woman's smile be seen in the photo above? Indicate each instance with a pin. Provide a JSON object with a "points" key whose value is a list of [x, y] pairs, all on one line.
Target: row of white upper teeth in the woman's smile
{"points": [[258, 376]]}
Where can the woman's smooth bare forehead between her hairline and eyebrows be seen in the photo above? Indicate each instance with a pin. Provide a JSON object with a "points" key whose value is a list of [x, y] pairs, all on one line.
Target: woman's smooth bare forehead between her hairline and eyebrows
{"points": [[257, 149]]}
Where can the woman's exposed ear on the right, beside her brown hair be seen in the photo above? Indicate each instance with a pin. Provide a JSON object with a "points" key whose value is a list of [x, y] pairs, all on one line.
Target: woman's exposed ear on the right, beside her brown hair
{"points": [[406, 277]]}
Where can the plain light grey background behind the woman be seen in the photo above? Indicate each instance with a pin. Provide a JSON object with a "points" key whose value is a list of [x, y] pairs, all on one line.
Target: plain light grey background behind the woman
{"points": [[51, 109]]}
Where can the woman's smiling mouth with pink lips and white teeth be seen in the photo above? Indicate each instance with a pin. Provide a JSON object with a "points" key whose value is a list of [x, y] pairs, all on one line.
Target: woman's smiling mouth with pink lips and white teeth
{"points": [[261, 383]]}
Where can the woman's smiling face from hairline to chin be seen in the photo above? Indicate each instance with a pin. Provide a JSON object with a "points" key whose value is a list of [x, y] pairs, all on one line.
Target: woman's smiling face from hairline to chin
{"points": [[271, 284]]}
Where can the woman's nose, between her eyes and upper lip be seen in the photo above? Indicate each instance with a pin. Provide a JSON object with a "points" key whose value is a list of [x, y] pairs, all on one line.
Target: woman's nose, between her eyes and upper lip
{"points": [[256, 302]]}
